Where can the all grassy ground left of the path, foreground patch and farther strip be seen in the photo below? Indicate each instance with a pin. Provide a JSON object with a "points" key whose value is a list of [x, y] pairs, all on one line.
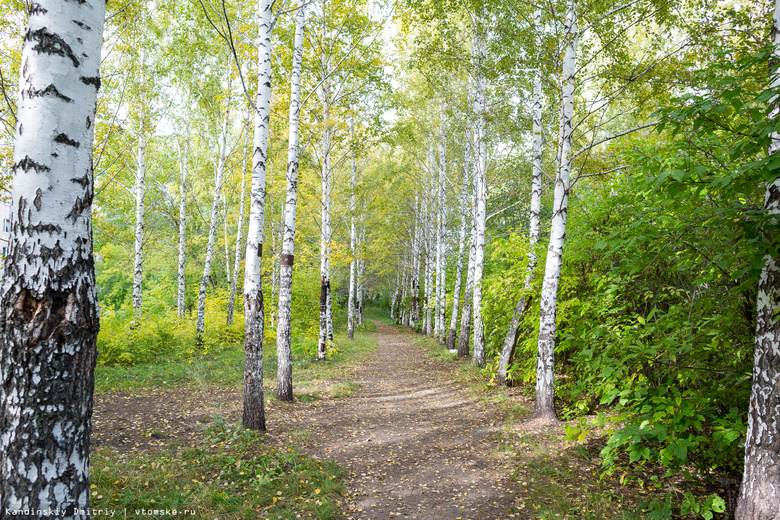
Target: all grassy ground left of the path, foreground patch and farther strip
{"points": [[225, 472]]}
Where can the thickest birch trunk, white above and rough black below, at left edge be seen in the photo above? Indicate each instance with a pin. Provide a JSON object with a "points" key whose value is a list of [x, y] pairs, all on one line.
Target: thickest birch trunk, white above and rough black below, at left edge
{"points": [[48, 304]]}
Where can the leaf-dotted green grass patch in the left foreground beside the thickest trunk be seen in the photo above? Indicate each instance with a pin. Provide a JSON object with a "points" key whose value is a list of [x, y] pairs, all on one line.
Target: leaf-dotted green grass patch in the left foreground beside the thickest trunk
{"points": [[231, 474]]}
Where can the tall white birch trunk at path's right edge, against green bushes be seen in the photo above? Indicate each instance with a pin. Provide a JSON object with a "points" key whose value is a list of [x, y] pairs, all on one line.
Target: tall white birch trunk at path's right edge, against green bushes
{"points": [[544, 406]]}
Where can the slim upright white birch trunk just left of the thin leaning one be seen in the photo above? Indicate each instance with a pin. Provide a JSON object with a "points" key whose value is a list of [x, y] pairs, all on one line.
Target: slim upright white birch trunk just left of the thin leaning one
{"points": [[480, 102]]}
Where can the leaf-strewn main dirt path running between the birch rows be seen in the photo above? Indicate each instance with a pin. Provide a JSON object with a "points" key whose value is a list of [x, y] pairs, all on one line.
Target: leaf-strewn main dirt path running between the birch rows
{"points": [[416, 443]]}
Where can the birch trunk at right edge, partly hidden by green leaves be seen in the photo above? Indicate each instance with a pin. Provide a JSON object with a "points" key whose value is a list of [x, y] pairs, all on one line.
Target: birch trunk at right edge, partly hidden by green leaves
{"points": [[759, 494]]}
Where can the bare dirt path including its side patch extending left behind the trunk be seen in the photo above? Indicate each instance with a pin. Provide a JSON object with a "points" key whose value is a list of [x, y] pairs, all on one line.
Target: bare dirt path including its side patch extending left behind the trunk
{"points": [[416, 443]]}
